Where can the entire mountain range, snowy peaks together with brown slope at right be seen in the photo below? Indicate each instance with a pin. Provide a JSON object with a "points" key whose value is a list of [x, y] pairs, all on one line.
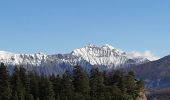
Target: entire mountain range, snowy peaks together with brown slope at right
{"points": [[155, 73]]}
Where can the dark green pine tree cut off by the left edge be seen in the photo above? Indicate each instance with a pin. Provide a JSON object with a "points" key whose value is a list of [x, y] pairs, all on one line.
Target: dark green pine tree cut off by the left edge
{"points": [[5, 91]]}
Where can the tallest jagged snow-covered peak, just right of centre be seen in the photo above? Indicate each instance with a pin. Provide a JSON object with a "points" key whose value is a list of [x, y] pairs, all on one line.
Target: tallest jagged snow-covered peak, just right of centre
{"points": [[104, 55]]}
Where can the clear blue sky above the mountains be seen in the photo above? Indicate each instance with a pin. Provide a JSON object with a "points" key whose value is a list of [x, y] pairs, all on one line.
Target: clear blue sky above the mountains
{"points": [[59, 26]]}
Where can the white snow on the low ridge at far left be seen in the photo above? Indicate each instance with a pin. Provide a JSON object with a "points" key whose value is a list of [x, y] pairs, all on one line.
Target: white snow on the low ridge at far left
{"points": [[21, 59]]}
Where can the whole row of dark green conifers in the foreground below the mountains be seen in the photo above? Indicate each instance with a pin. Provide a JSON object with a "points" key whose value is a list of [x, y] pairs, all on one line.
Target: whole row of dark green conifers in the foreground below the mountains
{"points": [[76, 85]]}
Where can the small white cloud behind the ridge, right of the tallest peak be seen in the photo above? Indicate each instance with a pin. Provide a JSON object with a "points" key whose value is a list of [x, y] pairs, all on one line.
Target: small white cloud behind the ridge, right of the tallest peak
{"points": [[147, 54]]}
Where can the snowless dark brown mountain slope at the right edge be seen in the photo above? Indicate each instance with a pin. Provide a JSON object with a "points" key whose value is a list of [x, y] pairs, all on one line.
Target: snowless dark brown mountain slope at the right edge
{"points": [[156, 74]]}
